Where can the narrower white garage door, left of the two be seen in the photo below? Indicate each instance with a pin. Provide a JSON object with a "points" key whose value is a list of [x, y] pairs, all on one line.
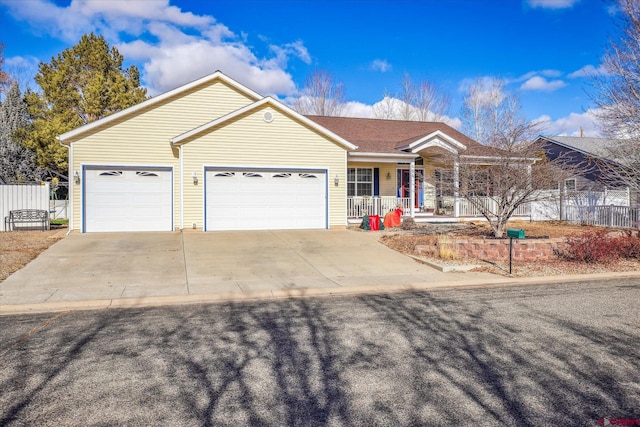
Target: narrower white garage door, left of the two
{"points": [[127, 199]]}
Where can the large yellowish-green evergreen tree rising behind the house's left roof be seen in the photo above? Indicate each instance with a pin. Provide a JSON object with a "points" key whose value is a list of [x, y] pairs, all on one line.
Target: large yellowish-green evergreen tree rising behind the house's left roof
{"points": [[83, 83]]}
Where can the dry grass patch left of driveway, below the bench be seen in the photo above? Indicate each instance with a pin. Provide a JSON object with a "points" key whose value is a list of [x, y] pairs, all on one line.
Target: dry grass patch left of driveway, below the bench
{"points": [[17, 248]]}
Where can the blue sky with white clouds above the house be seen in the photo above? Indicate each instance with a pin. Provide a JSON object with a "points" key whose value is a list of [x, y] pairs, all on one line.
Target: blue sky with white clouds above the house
{"points": [[540, 47]]}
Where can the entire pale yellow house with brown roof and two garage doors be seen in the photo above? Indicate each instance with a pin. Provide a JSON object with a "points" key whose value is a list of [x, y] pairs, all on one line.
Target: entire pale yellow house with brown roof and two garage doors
{"points": [[215, 155]]}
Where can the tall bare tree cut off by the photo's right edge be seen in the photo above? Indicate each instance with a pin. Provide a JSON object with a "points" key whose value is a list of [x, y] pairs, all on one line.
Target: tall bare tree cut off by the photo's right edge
{"points": [[617, 95]]}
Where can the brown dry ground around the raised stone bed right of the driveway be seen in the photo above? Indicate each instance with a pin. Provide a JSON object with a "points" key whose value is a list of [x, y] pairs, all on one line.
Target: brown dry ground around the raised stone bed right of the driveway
{"points": [[428, 235]]}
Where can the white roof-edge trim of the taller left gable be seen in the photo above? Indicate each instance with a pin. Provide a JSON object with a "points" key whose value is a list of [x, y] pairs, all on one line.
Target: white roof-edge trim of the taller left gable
{"points": [[155, 100]]}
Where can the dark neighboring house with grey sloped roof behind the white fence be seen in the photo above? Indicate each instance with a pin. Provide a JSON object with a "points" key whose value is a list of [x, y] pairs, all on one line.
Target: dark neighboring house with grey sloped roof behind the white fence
{"points": [[591, 157]]}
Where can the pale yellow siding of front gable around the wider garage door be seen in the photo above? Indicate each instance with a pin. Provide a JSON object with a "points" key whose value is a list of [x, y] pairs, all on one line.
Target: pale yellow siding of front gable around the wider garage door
{"points": [[248, 141]]}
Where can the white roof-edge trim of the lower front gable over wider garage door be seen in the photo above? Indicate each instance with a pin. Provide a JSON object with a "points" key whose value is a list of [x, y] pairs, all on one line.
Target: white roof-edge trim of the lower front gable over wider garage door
{"points": [[273, 103]]}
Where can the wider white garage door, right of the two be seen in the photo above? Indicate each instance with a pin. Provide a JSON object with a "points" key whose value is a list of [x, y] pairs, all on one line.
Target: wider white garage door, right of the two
{"points": [[266, 199]]}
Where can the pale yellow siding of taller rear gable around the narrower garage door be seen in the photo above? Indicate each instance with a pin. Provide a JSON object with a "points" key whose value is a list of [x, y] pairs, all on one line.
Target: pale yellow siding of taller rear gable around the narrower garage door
{"points": [[144, 138]]}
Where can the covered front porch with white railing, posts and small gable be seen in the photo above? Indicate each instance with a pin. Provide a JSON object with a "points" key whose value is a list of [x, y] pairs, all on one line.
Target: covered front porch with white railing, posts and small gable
{"points": [[422, 181]]}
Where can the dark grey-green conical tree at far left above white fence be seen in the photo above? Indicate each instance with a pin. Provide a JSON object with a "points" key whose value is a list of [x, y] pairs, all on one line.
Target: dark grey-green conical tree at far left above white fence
{"points": [[17, 163]]}
